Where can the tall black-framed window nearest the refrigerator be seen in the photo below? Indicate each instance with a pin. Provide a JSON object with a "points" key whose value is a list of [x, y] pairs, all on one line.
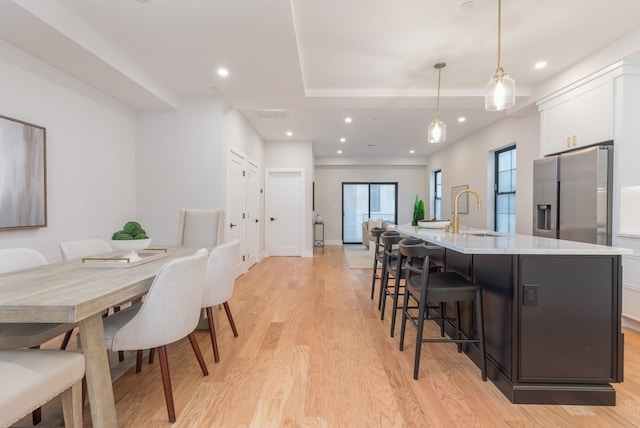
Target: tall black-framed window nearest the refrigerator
{"points": [[505, 190]]}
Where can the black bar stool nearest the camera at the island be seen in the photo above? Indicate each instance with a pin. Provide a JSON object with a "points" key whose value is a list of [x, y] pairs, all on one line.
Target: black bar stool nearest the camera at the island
{"points": [[422, 286]]}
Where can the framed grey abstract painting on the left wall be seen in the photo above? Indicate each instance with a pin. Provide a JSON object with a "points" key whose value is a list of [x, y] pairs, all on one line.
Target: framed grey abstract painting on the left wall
{"points": [[23, 175]]}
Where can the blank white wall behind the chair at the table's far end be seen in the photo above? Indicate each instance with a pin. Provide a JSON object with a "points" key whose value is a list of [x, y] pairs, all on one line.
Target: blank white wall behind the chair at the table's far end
{"points": [[181, 163]]}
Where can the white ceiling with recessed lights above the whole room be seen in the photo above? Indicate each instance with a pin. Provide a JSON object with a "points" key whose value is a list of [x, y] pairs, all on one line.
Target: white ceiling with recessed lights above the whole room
{"points": [[319, 60]]}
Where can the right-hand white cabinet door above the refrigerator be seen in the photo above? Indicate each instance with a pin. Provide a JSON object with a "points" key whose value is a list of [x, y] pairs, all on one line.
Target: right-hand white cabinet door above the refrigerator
{"points": [[593, 115]]}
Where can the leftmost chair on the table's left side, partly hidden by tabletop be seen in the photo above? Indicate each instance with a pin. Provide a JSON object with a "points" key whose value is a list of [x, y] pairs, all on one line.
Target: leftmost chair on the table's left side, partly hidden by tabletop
{"points": [[28, 335]]}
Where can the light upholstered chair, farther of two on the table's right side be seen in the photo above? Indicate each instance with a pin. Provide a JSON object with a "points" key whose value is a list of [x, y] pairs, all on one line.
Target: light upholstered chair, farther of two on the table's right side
{"points": [[220, 281]]}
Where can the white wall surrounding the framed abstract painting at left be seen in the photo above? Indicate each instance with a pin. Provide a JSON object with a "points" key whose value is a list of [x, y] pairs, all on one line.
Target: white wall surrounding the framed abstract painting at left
{"points": [[90, 152]]}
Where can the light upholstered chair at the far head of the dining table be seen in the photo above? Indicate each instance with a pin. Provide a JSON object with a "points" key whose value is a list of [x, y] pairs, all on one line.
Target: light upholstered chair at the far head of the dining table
{"points": [[201, 227]]}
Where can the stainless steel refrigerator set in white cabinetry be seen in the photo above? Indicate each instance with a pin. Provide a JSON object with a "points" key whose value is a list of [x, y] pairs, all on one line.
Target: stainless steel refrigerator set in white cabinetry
{"points": [[572, 195]]}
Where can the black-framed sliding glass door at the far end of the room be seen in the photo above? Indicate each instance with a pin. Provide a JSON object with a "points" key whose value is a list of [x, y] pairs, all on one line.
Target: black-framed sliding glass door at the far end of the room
{"points": [[361, 201]]}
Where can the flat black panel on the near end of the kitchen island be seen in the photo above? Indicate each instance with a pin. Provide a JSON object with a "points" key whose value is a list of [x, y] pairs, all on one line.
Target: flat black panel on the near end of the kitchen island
{"points": [[565, 329]]}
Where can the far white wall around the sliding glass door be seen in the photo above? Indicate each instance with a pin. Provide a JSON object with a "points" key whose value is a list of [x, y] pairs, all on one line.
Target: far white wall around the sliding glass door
{"points": [[411, 179]]}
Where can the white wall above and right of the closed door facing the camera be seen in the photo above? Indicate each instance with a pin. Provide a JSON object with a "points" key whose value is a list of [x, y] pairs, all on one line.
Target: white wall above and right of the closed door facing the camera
{"points": [[295, 154]]}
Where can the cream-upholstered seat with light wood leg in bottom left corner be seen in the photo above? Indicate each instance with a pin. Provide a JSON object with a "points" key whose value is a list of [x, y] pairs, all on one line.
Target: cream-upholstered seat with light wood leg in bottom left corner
{"points": [[32, 377]]}
